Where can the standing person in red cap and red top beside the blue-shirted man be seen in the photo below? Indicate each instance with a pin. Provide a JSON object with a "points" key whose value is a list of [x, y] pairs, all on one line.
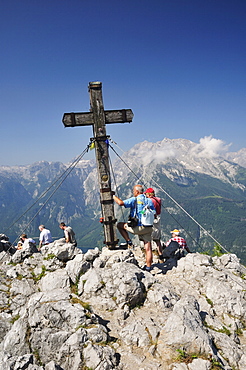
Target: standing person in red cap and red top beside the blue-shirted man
{"points": [[156, 233]]}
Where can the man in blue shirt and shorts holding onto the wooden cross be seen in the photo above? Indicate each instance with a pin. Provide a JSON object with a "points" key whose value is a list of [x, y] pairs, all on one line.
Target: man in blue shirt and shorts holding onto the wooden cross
{"points": [[137, 204]]}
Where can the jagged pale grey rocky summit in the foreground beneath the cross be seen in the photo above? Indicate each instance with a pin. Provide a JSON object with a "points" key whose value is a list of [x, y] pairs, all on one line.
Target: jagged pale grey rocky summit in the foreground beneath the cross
{"points": [[61, 309]]}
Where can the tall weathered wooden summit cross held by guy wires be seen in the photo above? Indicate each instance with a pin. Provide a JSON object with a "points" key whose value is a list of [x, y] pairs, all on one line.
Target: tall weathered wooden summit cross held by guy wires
{"points": [[98, 118]]}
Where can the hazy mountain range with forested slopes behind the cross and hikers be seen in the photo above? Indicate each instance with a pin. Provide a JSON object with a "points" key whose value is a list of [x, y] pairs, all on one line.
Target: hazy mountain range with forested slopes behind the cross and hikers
{"points": [[204, 179]]}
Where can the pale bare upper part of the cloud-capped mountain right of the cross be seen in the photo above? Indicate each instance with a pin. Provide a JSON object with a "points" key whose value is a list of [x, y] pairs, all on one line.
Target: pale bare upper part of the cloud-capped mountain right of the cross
{"points": [[182, 155]]}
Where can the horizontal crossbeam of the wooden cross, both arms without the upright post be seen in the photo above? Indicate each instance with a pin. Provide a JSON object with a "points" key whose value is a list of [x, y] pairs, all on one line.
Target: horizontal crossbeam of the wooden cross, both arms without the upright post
{"points": [[86, 118]]}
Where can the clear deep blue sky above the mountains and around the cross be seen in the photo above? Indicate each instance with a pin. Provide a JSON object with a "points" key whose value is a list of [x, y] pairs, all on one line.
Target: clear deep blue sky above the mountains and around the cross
{"points": [[180, 65]]}
